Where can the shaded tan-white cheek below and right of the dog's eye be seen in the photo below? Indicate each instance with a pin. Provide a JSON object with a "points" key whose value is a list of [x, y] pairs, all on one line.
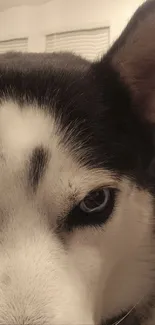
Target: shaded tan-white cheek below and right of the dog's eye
{"points": [[114, 255]]}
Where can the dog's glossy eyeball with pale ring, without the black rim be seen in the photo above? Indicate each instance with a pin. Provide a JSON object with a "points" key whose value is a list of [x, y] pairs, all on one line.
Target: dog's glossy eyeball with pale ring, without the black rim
{"points": [[95, 201]]}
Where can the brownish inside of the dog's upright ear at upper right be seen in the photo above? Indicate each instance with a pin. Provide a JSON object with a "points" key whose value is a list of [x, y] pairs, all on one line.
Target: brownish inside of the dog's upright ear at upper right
{"points": [[133, 57]]}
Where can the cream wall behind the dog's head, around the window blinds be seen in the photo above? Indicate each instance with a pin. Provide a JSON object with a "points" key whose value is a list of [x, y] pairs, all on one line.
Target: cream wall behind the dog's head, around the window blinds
{"points": [[35, 22]]}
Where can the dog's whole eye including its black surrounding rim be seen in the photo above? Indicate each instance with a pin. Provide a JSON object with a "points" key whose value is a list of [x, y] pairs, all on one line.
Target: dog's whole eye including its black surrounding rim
{"points": [[94, 210]]}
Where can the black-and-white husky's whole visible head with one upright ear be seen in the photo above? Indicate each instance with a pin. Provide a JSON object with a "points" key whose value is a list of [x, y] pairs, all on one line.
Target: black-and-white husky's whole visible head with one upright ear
{"points": [[77, 183]]}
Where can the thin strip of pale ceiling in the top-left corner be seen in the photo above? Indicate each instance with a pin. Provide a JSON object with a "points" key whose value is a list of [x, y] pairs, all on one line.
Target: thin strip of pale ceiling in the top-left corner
{"points": [[5, 4]]}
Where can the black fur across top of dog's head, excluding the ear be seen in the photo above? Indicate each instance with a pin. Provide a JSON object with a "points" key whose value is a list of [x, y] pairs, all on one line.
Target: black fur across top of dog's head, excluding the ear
{"points": [[92, 102]]}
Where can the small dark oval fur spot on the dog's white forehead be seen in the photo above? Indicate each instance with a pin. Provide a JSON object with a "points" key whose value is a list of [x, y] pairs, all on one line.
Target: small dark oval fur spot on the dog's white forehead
{"points": [[38, 164]]}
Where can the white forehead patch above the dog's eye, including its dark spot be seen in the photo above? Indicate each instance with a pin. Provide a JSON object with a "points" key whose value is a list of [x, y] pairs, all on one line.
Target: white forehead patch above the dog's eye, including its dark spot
{"points": [[34, 147]]}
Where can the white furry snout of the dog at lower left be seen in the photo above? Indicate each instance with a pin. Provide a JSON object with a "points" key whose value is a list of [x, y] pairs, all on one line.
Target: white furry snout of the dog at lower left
{"points": [[38, 285]]}
